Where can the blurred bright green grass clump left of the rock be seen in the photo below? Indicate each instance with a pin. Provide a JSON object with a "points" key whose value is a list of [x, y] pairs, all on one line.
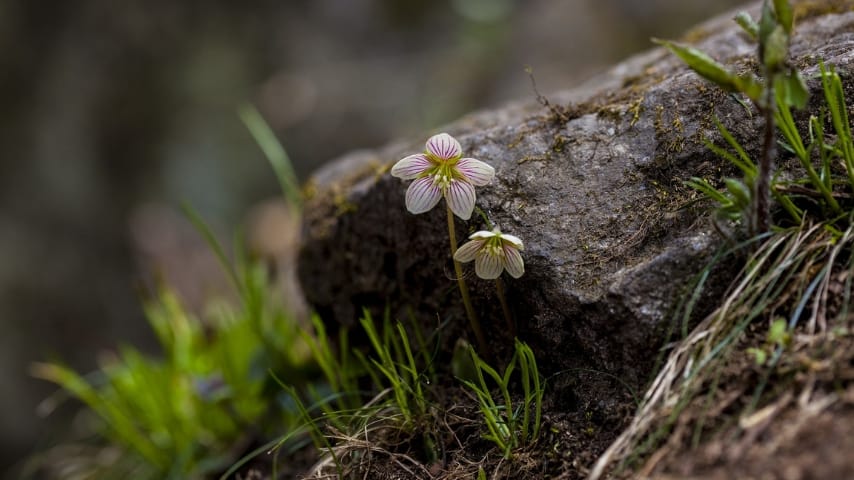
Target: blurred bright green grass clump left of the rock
{"points": [[183, 413]]}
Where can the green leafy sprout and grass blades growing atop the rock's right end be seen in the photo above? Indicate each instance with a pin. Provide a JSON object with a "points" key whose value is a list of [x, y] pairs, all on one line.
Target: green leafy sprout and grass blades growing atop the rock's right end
{"points": [[815, 192]]}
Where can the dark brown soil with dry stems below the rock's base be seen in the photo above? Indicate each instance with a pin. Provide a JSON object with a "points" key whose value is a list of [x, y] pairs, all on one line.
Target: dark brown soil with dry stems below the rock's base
{"points": [[583, 413]]}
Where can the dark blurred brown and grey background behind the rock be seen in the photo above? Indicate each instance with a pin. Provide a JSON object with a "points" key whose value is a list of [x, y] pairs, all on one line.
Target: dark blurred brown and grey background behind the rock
{"points": [[114, 112]]}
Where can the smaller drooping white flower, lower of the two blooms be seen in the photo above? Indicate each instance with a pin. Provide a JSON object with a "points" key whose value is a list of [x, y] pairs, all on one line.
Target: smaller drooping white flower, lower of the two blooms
{"points": [[492, 253]]}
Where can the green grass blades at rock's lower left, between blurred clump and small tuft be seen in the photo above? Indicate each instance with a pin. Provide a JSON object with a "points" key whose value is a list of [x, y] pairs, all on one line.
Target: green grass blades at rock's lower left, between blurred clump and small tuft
{"points": [[340, 413]]}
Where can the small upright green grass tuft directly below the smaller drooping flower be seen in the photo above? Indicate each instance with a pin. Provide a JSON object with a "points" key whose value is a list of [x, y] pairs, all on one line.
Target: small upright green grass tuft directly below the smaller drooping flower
{"points": [[509, 428]]}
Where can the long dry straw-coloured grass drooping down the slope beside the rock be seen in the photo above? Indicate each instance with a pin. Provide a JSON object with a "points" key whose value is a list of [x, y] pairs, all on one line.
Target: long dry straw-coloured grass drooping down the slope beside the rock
{"points": [[790, 275]]}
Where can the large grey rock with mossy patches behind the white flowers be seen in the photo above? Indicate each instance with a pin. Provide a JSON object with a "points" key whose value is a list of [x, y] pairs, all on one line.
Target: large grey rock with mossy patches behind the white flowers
{"points": [[593, 185]]}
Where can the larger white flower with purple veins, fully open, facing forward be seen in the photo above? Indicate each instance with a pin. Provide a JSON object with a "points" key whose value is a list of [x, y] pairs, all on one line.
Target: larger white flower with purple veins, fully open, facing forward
{"points": [[441, 172]]}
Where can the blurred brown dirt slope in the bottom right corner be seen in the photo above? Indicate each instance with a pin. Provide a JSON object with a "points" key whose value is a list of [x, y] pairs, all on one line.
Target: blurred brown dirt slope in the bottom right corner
{"points": [[801, 430]]}
